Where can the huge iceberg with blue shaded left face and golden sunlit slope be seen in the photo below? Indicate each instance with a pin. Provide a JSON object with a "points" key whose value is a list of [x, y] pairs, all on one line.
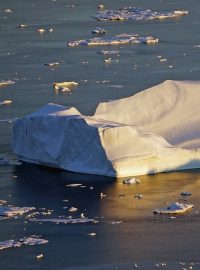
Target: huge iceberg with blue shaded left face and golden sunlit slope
{"points": [[156, 130]]}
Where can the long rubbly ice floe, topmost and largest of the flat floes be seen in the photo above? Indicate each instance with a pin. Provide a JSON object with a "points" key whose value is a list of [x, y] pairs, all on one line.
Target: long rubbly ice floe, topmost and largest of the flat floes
{"points": [[136, 13]]}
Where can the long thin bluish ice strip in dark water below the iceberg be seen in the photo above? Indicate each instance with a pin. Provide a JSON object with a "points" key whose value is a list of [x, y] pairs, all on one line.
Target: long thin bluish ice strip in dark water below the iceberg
{"points": [[65, 220]]}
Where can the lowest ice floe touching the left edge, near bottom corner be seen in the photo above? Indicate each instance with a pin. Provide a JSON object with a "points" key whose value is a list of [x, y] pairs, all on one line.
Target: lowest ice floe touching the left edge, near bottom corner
{"points": [[30, 241]]}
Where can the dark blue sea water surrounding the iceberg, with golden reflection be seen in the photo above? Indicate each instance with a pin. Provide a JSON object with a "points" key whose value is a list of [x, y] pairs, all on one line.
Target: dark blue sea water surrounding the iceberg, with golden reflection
{"points": [[126, 234]]}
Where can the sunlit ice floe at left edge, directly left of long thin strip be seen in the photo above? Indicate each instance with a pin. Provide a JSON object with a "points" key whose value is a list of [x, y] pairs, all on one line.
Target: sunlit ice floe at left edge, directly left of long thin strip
{"points": [[11, 211]]}
